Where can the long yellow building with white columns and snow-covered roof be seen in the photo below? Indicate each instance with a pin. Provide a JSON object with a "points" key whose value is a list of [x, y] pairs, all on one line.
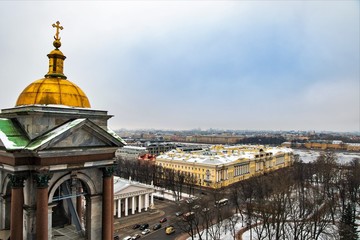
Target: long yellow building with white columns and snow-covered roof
{"points": [[220, 166]]}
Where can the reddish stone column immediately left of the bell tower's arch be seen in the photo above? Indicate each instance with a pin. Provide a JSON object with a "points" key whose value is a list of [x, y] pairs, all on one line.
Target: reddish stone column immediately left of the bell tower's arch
{"points": [[42, 228]]}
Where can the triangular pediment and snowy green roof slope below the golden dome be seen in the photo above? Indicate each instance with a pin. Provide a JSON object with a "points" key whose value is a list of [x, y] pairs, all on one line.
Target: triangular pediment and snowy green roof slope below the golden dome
{"points": [[75, 133]]}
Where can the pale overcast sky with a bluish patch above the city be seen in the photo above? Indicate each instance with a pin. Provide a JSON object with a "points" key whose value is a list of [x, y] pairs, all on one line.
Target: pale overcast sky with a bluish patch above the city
{"points": [[255, 65]]}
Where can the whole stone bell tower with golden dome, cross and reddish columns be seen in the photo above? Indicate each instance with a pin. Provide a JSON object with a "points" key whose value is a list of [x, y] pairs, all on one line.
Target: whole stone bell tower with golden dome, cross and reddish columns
{"points": [[56, 160]]}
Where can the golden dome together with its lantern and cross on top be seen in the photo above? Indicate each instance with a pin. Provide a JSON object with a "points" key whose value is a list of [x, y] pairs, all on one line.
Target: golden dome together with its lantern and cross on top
{"points": [[54, 88]]}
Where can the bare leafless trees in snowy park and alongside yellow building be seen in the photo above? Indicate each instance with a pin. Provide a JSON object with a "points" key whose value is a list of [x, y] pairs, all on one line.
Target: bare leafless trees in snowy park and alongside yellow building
{"points": [[316, 200]]}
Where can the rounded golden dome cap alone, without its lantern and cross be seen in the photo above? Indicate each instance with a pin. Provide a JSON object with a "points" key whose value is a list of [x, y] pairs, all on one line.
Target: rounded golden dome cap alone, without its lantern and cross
{"points": [[53, 91]]}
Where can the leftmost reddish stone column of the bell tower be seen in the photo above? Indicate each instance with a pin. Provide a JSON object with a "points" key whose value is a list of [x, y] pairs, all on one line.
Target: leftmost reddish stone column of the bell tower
{"points": [[17, 202]]}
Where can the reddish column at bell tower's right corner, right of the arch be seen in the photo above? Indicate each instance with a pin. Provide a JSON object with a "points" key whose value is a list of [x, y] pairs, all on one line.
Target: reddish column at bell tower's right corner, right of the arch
{"points": [[108, 205]]}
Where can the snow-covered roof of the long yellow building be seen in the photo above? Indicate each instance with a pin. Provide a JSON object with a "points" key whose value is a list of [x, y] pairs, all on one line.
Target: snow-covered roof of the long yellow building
{"points": [[219, 154]]}
